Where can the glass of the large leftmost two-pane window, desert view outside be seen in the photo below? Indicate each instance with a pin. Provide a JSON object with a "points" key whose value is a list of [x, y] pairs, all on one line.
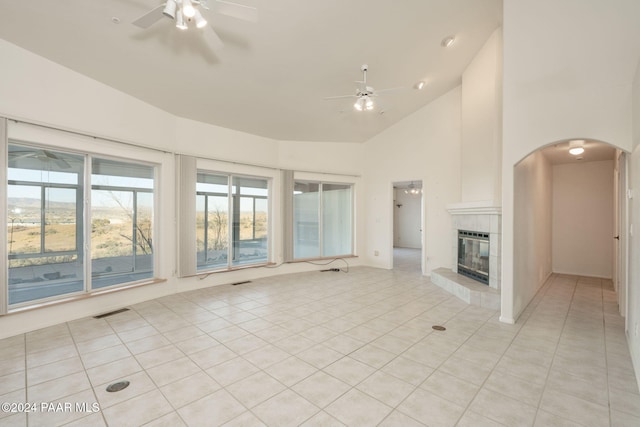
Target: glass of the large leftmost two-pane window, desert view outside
{"points": [[51, 252]]}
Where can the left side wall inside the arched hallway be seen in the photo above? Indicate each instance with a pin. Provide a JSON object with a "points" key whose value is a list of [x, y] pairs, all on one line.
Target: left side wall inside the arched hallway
{"points": [[532, 236]]}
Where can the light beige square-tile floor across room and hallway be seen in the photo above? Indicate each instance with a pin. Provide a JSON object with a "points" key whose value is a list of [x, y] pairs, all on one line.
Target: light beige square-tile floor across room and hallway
{"points": [[331, 349]]}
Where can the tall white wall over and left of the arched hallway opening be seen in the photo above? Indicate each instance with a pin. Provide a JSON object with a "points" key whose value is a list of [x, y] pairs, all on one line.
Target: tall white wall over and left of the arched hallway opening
{"points": [[564, 79]]}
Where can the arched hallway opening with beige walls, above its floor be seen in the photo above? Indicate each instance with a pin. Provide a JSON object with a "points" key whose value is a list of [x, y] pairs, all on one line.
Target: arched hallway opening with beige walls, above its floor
{"points": [[569, 211]]}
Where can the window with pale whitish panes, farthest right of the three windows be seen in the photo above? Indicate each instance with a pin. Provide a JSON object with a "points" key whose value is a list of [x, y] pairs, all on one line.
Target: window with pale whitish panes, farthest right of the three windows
{"points": [[322, 217]]}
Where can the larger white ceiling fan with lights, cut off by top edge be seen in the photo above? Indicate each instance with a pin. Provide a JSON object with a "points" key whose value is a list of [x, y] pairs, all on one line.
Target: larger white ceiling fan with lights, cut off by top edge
{"points": [[186, 12]]}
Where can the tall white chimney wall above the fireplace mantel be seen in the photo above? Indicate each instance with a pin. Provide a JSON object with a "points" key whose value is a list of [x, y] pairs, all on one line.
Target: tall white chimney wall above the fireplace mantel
{"points": [[482, 124]]}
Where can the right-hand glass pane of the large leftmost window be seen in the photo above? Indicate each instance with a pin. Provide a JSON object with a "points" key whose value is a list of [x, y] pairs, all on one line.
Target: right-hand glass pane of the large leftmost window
{"points": [[121, 222]]}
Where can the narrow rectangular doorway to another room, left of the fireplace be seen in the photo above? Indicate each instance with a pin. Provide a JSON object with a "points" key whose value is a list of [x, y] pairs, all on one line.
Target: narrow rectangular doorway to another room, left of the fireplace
{"points": [[407, 226]]}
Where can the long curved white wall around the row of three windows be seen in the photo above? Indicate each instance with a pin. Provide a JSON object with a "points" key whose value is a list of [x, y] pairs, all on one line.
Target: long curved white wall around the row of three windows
{"points": [[37, 90]]}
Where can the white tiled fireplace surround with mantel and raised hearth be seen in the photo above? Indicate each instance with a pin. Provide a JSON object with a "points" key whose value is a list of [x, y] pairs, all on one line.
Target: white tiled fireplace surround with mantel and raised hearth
{"points": [[479, 217]]}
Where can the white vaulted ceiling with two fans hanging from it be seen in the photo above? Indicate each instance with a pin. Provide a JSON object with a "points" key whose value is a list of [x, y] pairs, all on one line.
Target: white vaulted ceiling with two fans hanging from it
{"points": [[271, 77]]}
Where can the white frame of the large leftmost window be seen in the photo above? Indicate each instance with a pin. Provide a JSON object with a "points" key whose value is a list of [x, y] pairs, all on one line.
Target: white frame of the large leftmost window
{"points": [[34, 136]]}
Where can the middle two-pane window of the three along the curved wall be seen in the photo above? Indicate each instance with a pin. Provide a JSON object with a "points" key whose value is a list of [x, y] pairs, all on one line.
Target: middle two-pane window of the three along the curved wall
{"points": [[231, 221]]}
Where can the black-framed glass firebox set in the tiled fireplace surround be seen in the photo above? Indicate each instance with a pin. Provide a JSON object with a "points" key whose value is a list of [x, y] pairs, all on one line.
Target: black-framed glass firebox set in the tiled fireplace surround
{"points": [[473, 255]]}
